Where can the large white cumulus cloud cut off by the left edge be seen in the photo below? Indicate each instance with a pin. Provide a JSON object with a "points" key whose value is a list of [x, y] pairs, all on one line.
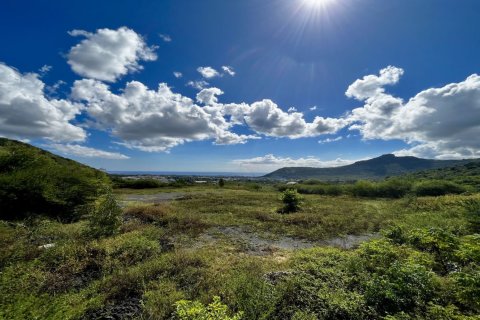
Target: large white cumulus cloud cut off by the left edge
{"points": [[25, 111]]}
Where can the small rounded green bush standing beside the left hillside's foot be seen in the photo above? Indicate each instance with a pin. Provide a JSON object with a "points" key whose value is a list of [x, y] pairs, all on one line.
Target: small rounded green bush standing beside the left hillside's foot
{"points": [[105, 219]]}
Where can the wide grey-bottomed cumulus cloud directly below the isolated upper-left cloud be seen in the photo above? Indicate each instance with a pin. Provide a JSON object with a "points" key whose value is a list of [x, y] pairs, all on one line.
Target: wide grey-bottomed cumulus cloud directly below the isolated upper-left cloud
{"points": [[153, 120]]}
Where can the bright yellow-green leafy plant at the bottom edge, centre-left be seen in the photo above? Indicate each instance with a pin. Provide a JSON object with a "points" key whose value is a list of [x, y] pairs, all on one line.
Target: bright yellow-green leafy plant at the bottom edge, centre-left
{"points": [[194, 310]]}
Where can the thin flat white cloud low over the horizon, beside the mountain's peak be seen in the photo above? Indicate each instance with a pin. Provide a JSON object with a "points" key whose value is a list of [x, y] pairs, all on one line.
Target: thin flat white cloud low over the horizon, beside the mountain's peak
{"points": [[271, 162]]}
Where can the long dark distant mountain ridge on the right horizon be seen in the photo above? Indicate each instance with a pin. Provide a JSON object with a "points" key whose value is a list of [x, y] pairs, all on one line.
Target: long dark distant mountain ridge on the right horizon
{"points": [[376, 168]]}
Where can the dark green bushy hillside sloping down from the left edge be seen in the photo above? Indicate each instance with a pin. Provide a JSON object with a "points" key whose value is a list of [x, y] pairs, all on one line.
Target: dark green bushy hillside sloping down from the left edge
{"points": [[34, 181]]}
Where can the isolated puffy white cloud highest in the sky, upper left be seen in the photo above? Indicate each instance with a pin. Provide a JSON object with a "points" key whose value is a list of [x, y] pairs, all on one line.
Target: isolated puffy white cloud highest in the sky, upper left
{"points": [[109, 54]]}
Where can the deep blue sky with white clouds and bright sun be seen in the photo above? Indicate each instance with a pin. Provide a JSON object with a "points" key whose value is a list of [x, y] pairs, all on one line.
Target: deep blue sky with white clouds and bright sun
{"points": [[297, 82]]}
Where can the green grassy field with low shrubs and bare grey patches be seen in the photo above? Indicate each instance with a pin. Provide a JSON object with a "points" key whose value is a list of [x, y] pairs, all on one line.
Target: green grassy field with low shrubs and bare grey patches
{"points": [[419, 258]]}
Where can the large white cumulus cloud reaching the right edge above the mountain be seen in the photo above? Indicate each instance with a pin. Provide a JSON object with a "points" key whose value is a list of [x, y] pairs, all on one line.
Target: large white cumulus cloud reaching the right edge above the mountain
{"points": [[437, 122]]}
